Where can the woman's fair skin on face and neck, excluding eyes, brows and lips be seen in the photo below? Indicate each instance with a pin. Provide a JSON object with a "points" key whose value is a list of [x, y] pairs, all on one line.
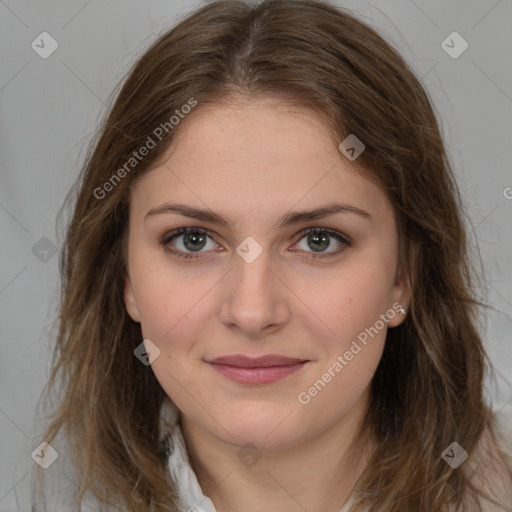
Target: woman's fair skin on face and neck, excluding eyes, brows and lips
{"points": [[253, 161]]}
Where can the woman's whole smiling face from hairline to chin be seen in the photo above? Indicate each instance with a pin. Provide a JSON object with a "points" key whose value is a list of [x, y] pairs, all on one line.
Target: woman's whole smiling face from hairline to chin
{"points": [[249, 280]]}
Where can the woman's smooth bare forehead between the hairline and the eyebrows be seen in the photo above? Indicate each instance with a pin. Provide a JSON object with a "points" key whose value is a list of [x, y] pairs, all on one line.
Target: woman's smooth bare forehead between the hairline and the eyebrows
{"points": [[253, 157]]}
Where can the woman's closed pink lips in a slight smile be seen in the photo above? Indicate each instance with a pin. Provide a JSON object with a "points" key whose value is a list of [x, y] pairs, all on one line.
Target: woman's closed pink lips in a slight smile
{"points": [[259, 370]]}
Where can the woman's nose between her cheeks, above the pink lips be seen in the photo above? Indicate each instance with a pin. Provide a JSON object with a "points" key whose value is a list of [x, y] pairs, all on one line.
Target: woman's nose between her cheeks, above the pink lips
{"points": [[255, 300]]}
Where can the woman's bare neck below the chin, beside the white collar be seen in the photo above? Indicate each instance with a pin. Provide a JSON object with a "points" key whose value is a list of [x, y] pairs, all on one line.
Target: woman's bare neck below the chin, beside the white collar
{"points": [[310, 475]]}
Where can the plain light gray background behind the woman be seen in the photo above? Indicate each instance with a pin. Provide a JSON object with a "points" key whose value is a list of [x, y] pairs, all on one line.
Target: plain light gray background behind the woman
{"points": [[50, 109]]}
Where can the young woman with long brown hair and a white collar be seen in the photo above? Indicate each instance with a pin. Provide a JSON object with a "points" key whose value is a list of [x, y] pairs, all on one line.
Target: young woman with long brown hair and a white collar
{"points": [[267, 300]]}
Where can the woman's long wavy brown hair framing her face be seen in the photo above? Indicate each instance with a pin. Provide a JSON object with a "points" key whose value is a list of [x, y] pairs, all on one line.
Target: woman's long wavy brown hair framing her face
{"points": [[428, 388]]}
